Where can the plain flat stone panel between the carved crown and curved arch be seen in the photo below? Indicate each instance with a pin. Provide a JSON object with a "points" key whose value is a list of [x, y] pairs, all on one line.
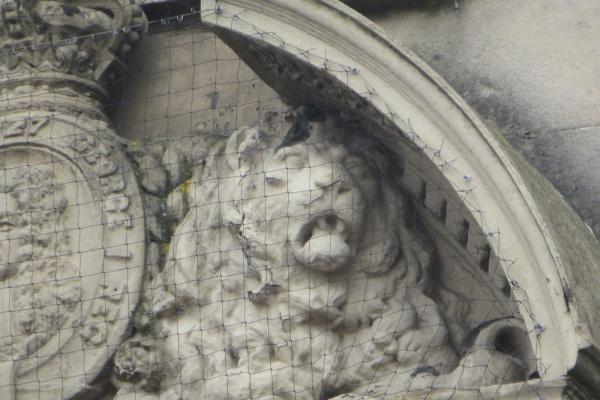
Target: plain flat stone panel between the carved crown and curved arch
{"points": [[219, 94]]}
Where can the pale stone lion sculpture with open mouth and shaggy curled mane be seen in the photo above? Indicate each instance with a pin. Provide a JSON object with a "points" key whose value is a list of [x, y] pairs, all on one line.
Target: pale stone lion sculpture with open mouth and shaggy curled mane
{"points": [[297, 273]]}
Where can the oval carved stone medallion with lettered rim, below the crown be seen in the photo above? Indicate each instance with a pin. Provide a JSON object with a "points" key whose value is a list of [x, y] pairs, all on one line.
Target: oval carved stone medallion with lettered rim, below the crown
{"points": [[71, 252]]}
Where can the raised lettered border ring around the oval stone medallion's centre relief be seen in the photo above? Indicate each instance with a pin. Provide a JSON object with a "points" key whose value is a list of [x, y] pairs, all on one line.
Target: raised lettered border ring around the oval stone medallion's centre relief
{"points": [[112, 288]]}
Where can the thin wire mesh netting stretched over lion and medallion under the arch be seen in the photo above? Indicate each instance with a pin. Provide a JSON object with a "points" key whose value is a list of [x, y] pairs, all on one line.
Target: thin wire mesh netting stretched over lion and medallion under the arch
{"points": [[194, 233]]}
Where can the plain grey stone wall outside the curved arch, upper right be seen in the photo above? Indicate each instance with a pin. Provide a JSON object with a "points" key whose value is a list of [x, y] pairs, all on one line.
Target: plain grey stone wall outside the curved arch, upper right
{"points": [[529, 68]]}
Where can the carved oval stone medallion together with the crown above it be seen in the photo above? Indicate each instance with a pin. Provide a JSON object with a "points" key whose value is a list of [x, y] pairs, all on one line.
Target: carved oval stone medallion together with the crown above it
{"points": [[72, 236]]}
